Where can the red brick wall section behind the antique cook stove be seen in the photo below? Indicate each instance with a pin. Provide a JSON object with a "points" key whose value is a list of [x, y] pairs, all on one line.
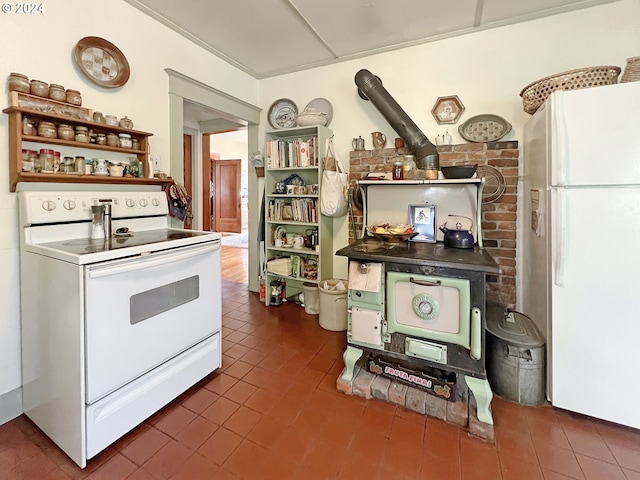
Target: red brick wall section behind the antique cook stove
{"points": [[498, 218]]}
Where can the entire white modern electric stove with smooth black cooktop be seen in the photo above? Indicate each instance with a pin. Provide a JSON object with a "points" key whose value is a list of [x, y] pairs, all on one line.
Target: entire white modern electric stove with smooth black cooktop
{"points": [[114, 328]]}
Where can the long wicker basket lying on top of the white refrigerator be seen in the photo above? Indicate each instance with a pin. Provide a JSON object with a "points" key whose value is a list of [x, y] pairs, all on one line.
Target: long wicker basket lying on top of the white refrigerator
{"points": [[534, 94]]}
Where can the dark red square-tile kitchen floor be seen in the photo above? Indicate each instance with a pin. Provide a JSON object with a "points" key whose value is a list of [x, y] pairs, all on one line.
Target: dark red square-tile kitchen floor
{"points": [[273, 412]]}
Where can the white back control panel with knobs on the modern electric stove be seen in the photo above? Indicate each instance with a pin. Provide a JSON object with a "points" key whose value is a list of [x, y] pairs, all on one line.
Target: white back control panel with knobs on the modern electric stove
{"points": [[56, 207]]}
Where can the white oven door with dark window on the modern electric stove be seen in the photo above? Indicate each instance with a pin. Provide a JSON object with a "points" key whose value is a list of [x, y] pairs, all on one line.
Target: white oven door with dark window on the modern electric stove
{"points": [[141, 312]]}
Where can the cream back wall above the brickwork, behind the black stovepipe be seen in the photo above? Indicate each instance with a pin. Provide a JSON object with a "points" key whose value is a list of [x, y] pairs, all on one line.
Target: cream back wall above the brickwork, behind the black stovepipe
{"points": [[487, 70]]}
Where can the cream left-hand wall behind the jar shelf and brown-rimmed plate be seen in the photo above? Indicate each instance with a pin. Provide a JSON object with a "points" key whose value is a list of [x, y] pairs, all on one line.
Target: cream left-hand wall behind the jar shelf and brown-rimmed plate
{"points": [[41, 46]]}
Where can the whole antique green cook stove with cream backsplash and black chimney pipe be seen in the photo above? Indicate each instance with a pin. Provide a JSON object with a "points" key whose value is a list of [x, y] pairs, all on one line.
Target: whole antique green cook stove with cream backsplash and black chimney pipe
{"points": [[417, 309]]}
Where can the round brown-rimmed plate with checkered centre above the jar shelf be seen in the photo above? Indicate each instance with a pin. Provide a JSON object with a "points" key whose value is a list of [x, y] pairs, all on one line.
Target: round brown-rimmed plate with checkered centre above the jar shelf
{"points": [[102, 62]]}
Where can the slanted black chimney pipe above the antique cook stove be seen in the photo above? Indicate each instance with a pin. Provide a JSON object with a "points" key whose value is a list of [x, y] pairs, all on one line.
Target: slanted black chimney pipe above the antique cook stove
{"points": [[370, 88]]}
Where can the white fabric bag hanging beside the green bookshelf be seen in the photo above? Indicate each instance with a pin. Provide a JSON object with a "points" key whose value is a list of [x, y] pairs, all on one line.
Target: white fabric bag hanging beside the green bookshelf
{"points": [[334, 187]]}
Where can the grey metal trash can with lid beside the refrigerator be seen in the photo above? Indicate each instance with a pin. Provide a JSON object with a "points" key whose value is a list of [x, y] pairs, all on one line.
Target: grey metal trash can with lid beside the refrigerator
{"points": [[515, 357]]}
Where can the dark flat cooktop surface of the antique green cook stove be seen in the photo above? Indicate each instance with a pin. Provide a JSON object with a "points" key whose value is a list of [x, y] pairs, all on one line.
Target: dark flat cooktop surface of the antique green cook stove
{"points": [[421, 253]]}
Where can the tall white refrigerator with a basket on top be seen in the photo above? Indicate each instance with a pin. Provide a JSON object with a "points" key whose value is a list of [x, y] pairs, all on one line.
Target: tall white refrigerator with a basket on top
{"points": [[579, 247]]}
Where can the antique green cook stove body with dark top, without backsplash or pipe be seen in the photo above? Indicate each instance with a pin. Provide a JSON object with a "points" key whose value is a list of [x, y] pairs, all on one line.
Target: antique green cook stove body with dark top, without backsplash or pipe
{"points": [[417, 313]]}
